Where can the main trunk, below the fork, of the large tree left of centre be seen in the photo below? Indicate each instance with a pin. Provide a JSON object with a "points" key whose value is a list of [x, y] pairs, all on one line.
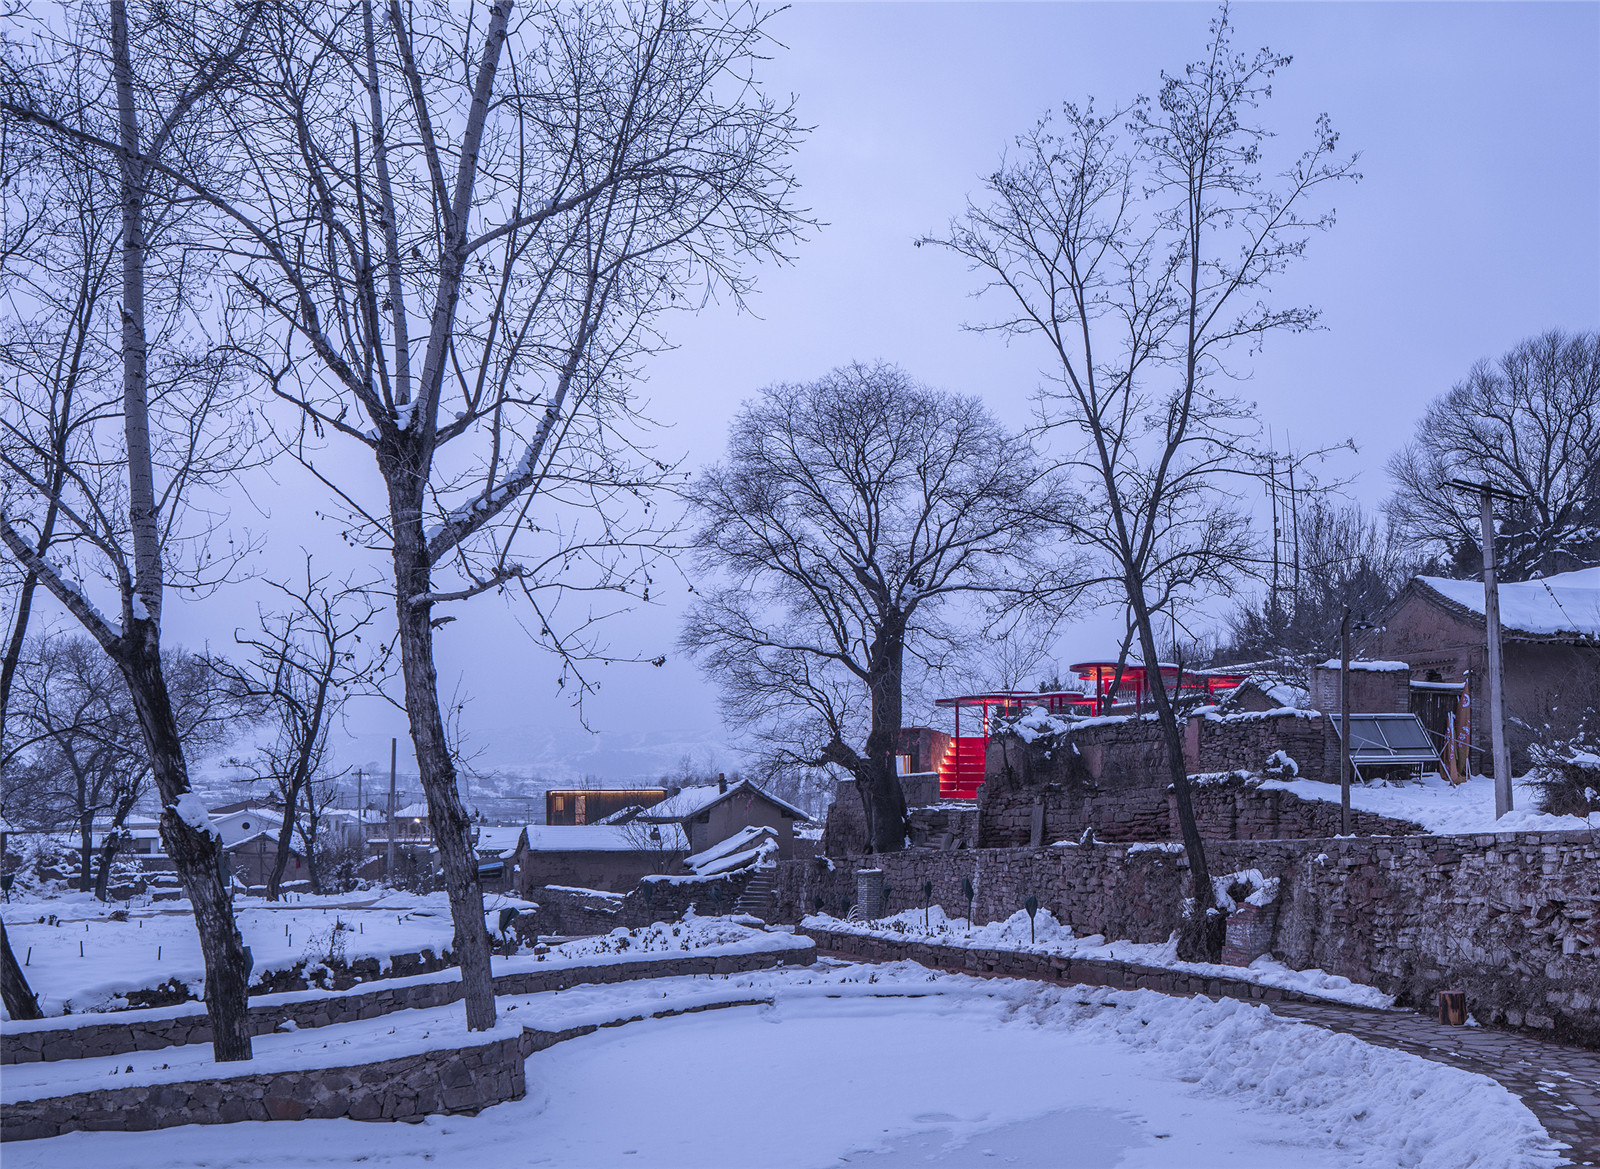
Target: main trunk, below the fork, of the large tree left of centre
{"points": [[436, 770]]}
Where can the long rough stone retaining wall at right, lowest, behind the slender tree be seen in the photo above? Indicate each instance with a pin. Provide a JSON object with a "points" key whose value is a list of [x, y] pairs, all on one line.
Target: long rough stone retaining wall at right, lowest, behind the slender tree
{"points": [[1510, 919]]}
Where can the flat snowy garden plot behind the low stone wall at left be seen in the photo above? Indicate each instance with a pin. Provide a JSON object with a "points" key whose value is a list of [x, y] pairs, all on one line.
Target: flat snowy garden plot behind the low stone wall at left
{"points": [[159, 943]]}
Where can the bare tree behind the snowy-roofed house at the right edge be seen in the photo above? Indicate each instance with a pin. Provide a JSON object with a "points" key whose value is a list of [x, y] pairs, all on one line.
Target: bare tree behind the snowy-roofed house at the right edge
{"points": [[1527, 423]]}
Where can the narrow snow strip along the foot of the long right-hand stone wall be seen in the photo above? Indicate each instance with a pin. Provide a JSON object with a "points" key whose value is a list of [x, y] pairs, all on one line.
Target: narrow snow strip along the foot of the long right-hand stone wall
{"points": [[1054, 938]]}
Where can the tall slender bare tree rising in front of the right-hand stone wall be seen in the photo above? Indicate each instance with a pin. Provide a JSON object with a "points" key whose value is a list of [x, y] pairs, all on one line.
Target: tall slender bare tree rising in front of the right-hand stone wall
{"points": [[1142, 247]]}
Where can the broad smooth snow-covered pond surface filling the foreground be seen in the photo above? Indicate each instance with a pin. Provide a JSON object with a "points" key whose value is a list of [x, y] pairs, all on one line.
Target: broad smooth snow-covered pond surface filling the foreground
{"points": [[897, 1066]]}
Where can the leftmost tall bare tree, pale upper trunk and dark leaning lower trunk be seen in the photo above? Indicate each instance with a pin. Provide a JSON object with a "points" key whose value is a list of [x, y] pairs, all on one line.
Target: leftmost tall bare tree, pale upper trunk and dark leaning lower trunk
{"points": [[124, 97]]}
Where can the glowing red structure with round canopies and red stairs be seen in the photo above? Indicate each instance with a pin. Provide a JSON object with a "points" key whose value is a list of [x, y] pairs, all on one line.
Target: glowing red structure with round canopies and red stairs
{"points": [[962, 768]]}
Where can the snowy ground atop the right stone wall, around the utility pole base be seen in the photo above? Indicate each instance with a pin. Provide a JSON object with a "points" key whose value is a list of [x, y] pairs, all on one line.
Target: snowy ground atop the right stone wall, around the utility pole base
{"points": [[1442, 808]]}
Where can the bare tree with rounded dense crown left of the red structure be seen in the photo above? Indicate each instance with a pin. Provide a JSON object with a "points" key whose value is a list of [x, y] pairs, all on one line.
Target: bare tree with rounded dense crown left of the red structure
{"points": [[849, 514]]}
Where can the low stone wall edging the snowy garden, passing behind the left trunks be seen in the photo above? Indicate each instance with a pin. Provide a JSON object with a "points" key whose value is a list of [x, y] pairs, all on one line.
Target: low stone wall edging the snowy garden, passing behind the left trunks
{"points": [[148, 1031]]}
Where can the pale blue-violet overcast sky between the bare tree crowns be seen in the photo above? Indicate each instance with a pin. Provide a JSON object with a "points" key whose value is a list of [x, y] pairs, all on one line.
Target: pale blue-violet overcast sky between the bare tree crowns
{"points": [[1476, 226]]}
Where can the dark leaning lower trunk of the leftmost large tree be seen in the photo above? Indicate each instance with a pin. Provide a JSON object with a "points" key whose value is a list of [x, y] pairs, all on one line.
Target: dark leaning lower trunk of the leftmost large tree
{"points": [[198, 855]]}
